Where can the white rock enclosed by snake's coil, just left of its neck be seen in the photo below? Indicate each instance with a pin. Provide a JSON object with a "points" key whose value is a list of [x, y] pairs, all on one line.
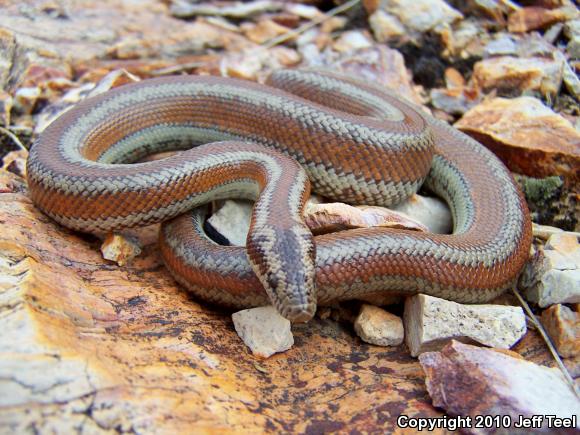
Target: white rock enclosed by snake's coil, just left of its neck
{"points": [[232, 221]]}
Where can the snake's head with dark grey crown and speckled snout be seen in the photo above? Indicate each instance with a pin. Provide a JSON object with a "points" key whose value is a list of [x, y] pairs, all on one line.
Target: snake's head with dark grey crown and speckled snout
{"points": [[284, 261]]}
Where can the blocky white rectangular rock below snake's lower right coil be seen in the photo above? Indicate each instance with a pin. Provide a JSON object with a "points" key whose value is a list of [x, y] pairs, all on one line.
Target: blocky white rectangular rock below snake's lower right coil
{"points": [[431, 322]]}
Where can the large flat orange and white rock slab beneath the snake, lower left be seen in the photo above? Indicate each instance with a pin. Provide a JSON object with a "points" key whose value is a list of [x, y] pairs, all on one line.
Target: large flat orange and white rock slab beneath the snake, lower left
{"points": [[104, 347]]}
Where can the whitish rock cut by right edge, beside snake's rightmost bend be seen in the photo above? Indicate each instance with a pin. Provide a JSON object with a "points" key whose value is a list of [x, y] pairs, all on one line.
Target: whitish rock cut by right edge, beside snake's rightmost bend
{"points": [[553, 274]]}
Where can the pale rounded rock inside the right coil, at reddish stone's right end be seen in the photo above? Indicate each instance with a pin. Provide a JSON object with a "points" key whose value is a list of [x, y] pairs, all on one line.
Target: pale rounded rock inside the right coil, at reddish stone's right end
{"points": [[431, 212]]}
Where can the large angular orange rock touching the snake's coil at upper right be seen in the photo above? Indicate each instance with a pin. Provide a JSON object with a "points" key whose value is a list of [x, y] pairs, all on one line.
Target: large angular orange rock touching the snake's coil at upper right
{"points": [[527, 135]]}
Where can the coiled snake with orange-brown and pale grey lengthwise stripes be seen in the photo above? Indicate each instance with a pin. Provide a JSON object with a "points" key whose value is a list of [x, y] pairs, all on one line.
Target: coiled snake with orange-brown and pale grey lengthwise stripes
{"points": [[349, 140]]}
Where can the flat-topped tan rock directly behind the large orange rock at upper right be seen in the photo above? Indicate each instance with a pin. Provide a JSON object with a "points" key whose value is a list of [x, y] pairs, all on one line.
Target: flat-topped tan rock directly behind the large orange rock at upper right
{"points": [[513, 76]]}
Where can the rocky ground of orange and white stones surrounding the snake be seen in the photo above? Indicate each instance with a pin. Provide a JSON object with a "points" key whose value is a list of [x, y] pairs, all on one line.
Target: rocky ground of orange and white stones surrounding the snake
{"points": [[97, 337]]}
